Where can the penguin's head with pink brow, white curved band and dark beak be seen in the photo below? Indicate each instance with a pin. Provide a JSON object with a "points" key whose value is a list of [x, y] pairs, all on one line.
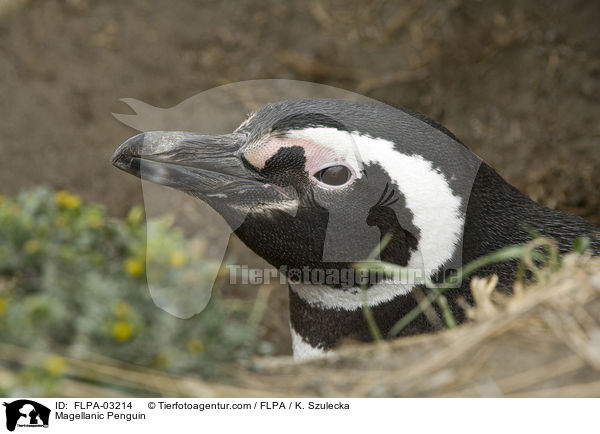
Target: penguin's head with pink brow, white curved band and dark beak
{"points": [[319, 183]]}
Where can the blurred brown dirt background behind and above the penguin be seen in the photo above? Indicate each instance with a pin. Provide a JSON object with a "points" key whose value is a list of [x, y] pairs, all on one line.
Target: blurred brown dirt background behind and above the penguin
{"points": [[518, 82]]}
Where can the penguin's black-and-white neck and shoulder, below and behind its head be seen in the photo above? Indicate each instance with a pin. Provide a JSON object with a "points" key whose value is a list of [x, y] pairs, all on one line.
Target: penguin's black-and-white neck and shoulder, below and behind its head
{"points": [[497, 215]]}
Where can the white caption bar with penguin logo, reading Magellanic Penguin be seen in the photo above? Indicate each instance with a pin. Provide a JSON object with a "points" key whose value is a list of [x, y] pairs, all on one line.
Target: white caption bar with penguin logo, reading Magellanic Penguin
{"points": [[294, 415]]}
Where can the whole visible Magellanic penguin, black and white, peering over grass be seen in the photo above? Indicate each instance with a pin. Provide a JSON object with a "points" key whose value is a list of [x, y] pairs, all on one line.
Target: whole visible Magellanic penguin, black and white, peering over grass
{"points": [[315, 185]]}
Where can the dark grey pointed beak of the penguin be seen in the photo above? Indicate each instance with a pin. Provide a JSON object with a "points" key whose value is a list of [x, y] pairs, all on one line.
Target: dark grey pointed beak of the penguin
{"points": [[202, 165]]}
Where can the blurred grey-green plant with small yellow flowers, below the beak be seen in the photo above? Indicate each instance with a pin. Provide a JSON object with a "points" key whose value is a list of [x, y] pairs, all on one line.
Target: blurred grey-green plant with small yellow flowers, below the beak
{"points": [[73, 282]]}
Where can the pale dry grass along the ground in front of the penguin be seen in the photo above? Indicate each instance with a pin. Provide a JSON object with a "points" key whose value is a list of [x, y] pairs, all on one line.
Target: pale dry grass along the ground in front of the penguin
{"points": [[544, 341]]}
